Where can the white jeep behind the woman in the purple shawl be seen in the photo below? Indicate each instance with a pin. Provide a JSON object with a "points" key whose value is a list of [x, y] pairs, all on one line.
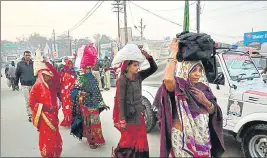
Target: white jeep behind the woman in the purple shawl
{"points": [[242, 95]]}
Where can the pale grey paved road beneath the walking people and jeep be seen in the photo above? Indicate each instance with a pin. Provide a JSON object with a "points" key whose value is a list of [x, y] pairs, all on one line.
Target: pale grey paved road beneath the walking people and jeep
{"points": [[19, 138]]}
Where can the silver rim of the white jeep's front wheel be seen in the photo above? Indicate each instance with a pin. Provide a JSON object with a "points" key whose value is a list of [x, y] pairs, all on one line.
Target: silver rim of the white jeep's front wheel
{"points": [[258, 146]]}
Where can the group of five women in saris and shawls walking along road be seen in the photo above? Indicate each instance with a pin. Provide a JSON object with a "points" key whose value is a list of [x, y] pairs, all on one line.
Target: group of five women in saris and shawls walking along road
{"points": [[190, 119]]}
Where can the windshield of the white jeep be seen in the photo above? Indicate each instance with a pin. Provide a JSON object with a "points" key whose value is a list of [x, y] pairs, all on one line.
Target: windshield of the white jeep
{"points": [[240, 66]]}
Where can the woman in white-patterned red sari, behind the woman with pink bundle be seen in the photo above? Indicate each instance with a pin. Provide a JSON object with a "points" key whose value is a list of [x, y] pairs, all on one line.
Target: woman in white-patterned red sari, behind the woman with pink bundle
{"points": [[68, 77]]}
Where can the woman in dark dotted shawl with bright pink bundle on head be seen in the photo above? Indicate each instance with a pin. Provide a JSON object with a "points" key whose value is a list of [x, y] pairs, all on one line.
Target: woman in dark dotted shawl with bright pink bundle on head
{"points": [[87, 103]]}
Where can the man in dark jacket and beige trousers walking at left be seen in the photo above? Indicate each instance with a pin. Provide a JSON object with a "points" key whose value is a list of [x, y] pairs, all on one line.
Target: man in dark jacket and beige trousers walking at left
{"points": [[24, 73]]}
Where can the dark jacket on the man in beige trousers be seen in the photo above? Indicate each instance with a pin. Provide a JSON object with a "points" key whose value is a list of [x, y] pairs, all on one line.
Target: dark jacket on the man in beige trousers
{"points": [[24, 73]]}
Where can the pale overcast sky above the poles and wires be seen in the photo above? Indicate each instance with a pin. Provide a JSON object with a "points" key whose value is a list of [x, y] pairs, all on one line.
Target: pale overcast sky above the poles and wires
{"points": [[226, 21]]}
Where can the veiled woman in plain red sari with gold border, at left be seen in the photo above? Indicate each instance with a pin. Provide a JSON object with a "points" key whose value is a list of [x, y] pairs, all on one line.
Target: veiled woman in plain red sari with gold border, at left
{"points": [[44, 105]]}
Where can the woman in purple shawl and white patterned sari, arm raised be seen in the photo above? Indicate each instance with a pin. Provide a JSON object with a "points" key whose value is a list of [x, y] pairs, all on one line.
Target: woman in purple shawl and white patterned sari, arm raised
{"points": [[190, 119]]}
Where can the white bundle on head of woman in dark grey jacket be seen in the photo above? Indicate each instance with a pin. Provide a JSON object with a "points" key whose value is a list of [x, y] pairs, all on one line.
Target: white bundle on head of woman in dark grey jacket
{"points": [[128, 52]]}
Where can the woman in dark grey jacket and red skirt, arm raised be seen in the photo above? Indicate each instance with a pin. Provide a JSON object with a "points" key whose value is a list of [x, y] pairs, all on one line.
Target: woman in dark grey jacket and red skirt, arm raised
{"points": [[128, 110]]}
